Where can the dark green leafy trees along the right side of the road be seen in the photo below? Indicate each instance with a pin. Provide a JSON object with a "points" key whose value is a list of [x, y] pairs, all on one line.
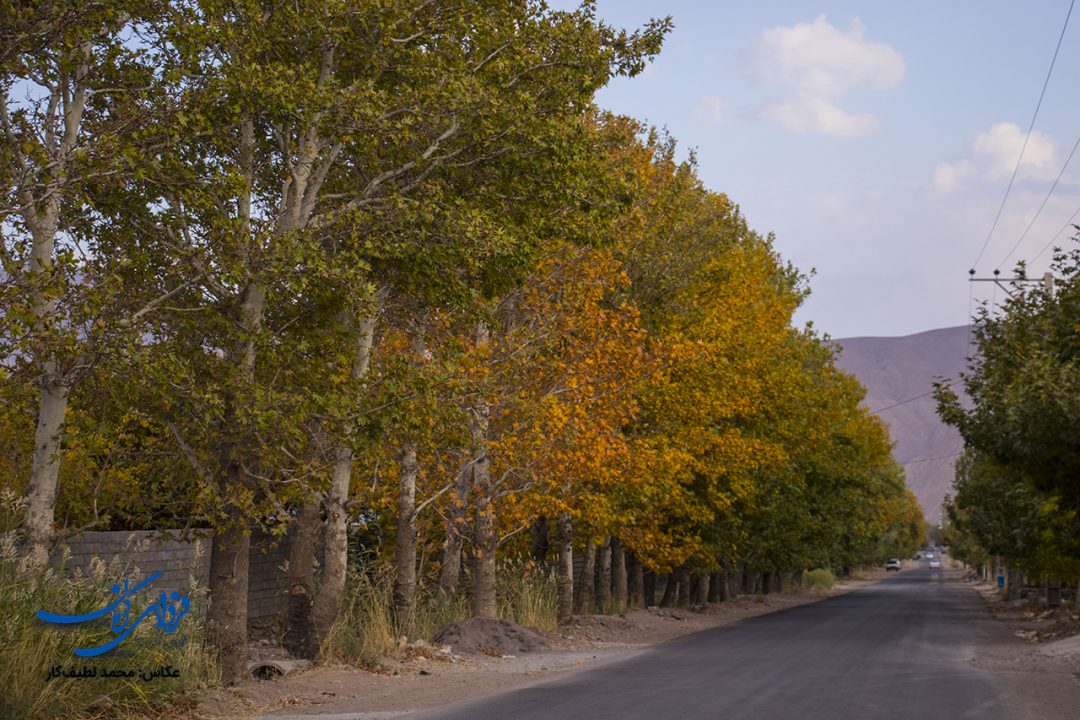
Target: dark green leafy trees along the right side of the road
{"points": [[1016, 491]]}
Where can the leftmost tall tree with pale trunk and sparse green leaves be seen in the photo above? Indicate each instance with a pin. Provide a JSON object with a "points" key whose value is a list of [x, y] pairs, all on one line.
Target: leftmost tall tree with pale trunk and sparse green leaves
{"points": [[74, 84]]}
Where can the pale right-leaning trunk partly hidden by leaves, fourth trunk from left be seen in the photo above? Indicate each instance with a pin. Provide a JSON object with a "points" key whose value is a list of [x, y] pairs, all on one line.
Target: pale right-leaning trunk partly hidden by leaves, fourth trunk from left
{"points": [[335, 533]]}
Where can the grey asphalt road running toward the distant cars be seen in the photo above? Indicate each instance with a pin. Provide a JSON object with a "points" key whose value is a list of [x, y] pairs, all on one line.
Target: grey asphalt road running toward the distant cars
{"points": [[898, 649]]}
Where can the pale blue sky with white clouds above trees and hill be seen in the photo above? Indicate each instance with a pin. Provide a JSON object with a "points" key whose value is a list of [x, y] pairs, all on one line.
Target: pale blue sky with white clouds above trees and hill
{"points": [[876, 140]]}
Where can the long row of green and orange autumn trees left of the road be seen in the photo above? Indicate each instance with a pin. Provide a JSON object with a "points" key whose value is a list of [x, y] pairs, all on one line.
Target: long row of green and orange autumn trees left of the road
{"points": [[303, 266]]}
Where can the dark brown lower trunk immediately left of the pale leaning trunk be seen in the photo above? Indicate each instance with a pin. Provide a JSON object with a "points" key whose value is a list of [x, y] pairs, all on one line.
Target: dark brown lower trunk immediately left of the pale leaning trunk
{"points": [[301, 639]]}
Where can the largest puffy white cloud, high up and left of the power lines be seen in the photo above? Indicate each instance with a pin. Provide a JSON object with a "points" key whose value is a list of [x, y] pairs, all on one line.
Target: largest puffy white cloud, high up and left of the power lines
{"points": [[815, 65]]}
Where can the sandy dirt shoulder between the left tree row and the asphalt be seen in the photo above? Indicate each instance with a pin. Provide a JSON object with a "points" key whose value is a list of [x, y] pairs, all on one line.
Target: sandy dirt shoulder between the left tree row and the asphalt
{"points": [[426, 678]]}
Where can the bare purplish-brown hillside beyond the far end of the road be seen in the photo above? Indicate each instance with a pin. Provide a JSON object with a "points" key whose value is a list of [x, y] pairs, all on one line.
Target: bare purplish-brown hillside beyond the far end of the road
{"points": [[896, 371]]}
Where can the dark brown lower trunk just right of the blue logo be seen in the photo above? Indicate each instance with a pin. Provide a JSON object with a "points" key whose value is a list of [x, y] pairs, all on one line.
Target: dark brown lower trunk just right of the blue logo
{"points": [[227, 617]]}
